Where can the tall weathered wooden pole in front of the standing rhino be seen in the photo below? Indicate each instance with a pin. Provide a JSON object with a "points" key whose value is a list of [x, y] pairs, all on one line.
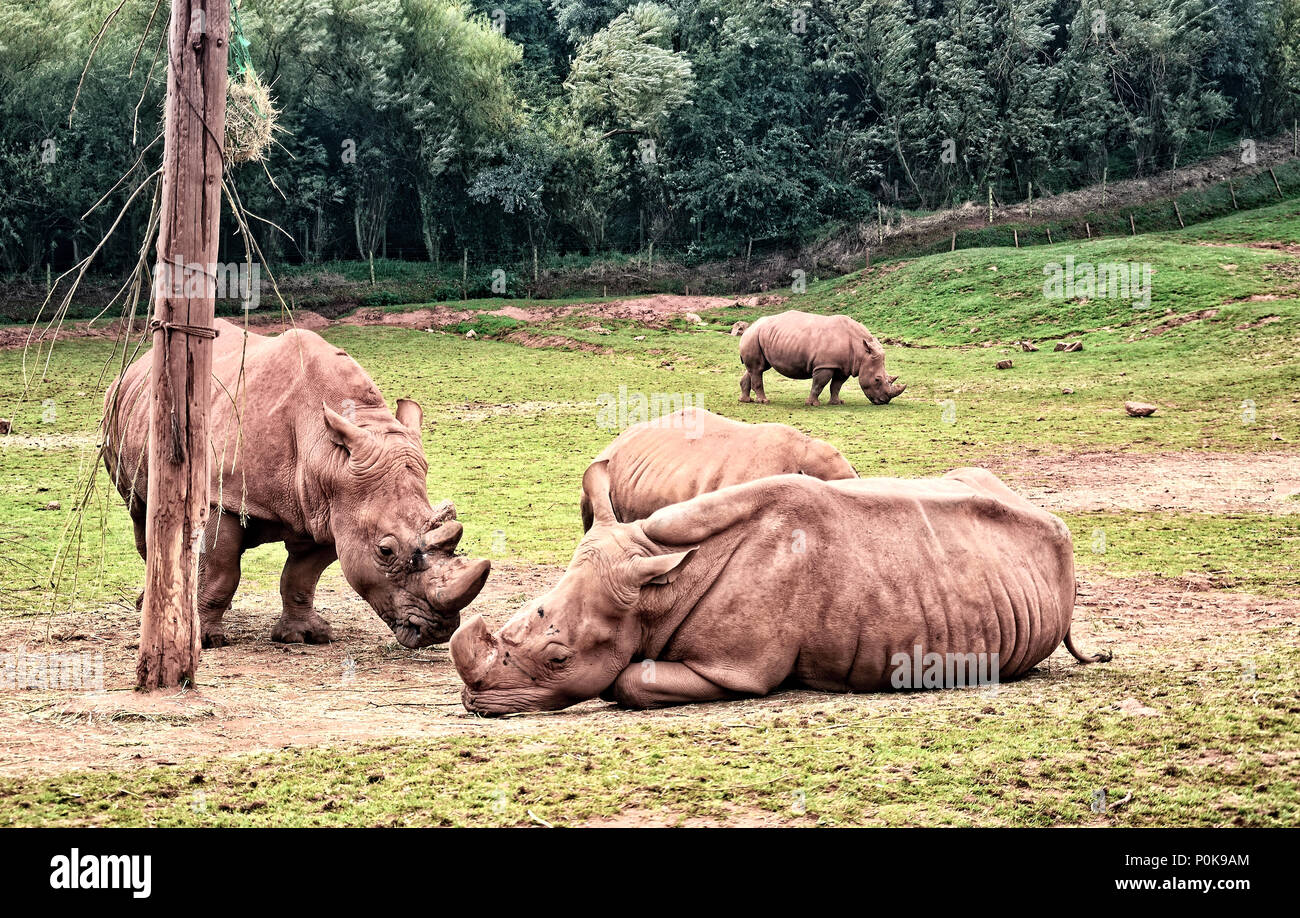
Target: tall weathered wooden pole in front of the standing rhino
{"points": [[181, 374]]}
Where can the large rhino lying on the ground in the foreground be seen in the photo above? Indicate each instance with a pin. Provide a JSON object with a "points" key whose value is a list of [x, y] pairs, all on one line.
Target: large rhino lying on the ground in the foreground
{"points": [[834, 586]]}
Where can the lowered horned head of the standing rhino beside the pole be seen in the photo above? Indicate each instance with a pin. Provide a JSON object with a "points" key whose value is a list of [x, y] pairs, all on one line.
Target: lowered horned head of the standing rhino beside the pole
{"points": [[396, 549]]}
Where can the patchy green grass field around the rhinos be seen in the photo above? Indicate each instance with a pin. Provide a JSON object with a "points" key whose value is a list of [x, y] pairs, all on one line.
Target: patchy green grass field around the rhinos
{"points": [[509, 431]]}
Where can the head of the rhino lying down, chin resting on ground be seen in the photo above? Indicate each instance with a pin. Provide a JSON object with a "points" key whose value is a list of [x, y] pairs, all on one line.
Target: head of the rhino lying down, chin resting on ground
{"points": [[573, 643]]}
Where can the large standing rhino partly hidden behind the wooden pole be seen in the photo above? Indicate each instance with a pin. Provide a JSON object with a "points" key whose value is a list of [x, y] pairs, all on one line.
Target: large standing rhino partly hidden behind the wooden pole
{"points": [[305, 452]]}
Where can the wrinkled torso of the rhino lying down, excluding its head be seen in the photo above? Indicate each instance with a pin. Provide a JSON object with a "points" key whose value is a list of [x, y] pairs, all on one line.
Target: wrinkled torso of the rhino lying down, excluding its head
{"points": [[830, 581]]}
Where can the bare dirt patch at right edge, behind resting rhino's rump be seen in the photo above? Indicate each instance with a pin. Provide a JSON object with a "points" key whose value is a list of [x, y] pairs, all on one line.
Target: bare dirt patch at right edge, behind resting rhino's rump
{"points": [[1216, 483]]}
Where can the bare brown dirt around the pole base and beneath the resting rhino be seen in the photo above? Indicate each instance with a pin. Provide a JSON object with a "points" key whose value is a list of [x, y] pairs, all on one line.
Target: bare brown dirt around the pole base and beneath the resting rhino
{"points": [[258, 696]]}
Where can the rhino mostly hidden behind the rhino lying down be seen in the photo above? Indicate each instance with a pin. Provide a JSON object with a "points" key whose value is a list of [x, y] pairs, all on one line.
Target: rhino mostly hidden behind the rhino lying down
{"points": [[695, 452]]}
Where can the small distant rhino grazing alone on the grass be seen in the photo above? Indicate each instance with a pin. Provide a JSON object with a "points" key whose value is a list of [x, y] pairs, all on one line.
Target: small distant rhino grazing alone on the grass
{"points": [[826, 349]]}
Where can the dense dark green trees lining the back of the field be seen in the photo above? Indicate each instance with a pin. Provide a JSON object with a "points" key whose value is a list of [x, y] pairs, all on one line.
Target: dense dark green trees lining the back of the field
{"points": [[426, 128]]}
